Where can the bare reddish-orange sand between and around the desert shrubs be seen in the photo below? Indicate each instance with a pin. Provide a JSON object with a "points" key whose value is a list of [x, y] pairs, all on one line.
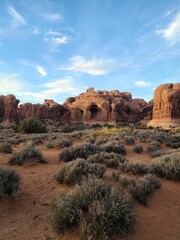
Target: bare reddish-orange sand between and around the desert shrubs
{"points": [[26, 215]]}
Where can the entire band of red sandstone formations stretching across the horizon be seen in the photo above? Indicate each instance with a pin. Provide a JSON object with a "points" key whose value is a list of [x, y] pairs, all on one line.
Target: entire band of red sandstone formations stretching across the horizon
{"points": [[100, 107]]}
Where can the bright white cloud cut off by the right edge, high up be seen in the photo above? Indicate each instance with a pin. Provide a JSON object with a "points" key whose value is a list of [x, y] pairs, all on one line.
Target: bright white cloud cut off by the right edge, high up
{"points": [[172, 32]]}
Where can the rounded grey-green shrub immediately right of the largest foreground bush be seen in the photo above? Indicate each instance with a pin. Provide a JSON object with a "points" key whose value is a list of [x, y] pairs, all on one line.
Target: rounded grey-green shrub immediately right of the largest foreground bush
{"points": [[142, 189]]}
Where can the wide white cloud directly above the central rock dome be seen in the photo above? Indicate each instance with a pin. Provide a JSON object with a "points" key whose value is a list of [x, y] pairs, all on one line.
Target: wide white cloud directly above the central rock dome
{"points": [[93, 66]]}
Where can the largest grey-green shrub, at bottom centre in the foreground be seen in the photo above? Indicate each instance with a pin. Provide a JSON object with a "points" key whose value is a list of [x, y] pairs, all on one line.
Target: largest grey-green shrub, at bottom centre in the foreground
{"points": [[97, 208]]}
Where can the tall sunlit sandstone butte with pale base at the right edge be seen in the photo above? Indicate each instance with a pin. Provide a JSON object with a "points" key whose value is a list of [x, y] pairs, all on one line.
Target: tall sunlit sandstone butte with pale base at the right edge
{"points": [[166, 108]]}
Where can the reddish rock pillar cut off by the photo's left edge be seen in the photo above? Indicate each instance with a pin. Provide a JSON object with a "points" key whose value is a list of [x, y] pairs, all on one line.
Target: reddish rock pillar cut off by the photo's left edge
{"points": [[8, 110]]}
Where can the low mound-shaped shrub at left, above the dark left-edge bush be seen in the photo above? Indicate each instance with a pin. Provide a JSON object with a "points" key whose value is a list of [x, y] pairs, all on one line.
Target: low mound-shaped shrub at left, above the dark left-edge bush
{"points": [[27, 152]]}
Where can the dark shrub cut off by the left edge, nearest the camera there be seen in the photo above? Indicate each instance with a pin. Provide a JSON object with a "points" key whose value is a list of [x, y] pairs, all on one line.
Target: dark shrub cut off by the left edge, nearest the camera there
{"points": [[9, 181]]}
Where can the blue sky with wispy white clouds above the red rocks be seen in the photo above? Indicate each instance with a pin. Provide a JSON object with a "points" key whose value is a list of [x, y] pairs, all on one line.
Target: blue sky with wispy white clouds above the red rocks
{"points": [[56, 49]]}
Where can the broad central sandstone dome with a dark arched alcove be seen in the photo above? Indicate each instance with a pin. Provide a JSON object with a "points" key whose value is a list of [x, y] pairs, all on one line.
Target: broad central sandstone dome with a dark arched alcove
{"points": [[106, 107]]}
